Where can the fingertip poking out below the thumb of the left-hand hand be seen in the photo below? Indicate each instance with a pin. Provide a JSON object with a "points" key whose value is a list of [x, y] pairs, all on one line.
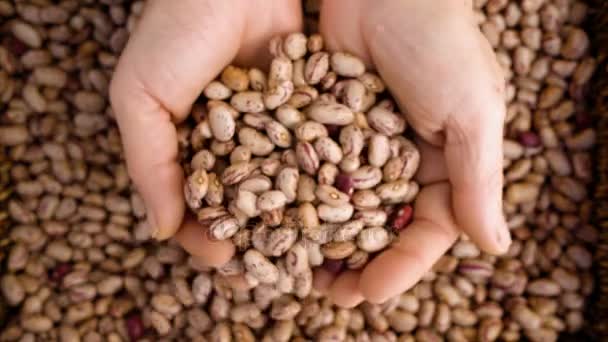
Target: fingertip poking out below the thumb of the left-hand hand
{"points": [[206, 252]]}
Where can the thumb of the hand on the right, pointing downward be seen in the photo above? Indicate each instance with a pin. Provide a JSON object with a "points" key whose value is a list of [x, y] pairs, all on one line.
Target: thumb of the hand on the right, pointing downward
{"points": [[473, 154]]}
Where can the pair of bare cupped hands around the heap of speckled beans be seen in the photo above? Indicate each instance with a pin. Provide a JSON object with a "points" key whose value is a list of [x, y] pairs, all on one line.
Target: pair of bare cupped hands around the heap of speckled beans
{"points": [[436, 63]]}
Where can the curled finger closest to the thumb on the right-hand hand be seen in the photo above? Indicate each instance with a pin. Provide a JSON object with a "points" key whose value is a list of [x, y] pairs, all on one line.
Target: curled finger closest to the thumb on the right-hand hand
{"points": [[417, 249]]}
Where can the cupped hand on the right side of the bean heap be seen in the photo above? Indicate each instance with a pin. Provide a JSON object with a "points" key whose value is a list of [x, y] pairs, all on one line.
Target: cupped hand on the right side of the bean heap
{"points": [[445, 78]]}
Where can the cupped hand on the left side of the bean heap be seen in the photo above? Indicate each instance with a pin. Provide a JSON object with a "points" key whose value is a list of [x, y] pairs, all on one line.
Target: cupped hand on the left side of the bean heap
{"points": [[177, 48]]}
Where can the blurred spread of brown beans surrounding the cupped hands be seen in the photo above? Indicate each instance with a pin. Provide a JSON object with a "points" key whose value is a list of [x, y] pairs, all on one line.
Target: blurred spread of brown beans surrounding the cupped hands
{"points": [[81, 265]]}
